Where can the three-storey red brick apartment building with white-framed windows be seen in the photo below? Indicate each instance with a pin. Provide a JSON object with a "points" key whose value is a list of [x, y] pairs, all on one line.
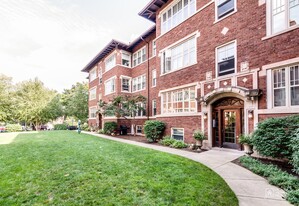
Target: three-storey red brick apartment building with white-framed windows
{"points": [[220, 66]]}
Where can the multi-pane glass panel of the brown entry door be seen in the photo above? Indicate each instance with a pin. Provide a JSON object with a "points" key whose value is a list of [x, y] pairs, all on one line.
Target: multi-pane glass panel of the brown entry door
{"points": [[229, 126]]}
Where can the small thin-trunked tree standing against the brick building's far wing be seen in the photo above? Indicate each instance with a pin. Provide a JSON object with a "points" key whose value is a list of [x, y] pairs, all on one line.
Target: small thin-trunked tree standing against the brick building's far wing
{"points": [[123, 106]]}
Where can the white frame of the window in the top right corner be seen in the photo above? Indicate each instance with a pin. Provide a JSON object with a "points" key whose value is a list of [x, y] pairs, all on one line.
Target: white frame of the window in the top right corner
{"points": [[270, 31]]}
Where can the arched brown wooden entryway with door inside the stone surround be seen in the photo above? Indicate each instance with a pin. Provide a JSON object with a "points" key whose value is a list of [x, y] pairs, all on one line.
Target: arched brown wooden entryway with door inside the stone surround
{"points": [[227, 122]]}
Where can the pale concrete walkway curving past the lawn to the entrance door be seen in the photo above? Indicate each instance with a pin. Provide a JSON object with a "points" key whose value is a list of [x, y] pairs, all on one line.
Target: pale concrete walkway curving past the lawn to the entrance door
{"points": [[249, 188]]}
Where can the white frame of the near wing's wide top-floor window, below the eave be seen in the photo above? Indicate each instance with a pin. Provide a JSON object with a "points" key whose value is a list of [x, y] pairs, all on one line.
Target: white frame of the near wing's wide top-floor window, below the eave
{"points": [[176, 19]]}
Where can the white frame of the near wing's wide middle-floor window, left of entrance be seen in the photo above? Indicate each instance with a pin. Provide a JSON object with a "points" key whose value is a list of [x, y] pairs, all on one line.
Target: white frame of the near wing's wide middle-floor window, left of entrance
{"points": [[167, 55]]}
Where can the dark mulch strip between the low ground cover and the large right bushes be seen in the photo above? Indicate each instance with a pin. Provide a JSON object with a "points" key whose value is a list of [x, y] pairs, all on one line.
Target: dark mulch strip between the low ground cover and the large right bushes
{"points": [[284, 166]]}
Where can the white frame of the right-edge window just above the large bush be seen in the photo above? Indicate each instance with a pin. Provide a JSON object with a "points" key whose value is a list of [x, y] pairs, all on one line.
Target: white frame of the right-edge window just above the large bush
{"points": [[287, 87]]}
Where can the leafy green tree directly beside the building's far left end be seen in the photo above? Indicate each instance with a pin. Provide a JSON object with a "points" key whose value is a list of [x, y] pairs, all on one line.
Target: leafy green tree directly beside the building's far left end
{"points": [[75, 101]]}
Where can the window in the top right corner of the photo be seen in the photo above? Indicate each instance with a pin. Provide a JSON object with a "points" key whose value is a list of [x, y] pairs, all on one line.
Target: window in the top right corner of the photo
{"points": [[284, 14]]}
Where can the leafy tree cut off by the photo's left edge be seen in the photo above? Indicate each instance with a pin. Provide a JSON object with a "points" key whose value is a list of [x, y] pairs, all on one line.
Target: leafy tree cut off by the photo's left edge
{"points": [[6, 101]]}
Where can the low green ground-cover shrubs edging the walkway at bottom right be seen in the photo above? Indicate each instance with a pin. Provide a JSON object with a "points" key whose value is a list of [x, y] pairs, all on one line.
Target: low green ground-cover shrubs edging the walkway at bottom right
{"points": [[276, 177]]}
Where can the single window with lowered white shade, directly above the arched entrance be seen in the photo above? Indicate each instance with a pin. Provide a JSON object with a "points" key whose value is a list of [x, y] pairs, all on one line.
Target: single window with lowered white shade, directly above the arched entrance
{"points": [[226, 59]]}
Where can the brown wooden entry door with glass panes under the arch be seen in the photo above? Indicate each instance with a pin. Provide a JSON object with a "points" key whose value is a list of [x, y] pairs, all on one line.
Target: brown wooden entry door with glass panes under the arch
{"points": [[230, 128]]}
